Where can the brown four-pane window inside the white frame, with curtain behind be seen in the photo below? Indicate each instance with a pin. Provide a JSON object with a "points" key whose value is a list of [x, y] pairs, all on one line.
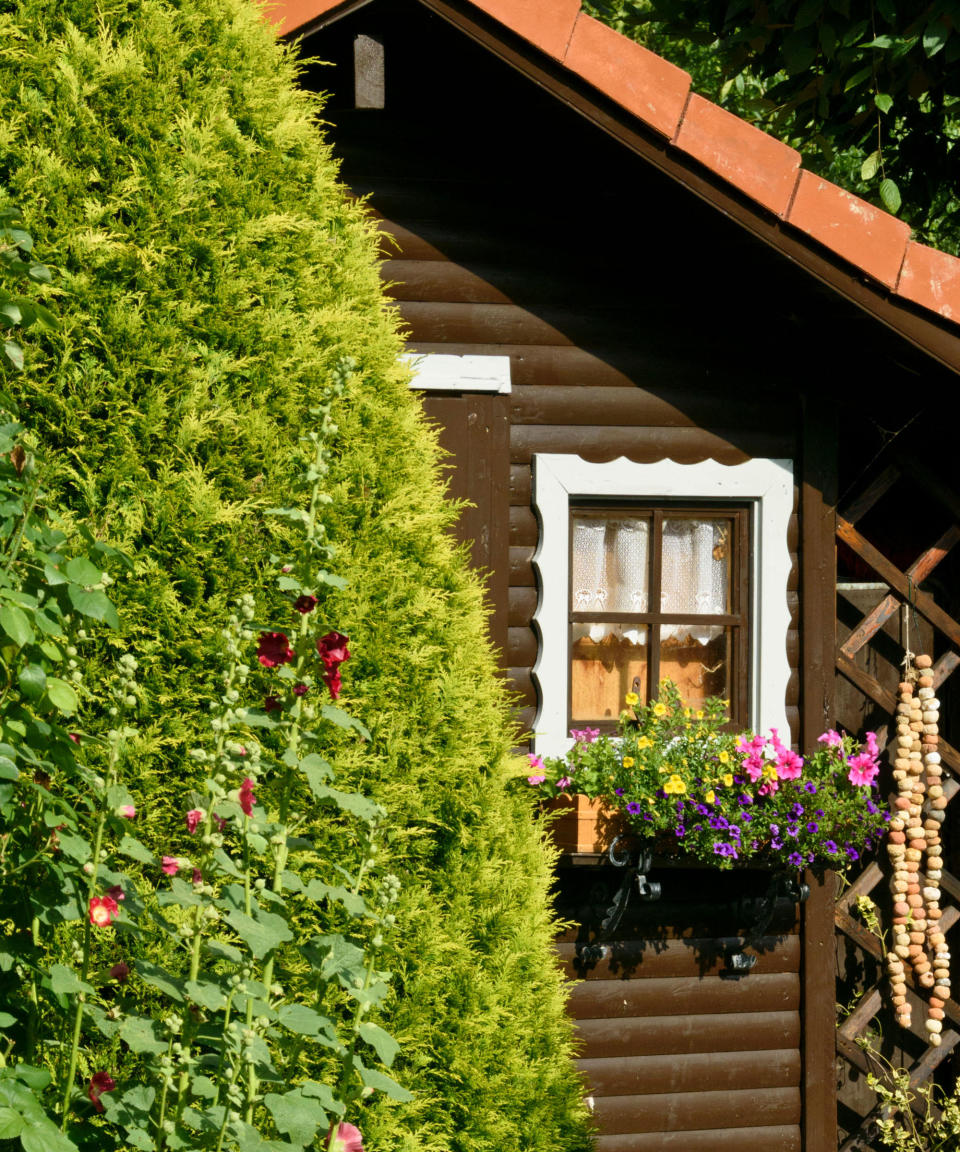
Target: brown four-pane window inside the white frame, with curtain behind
{"points": [[657, 593]]}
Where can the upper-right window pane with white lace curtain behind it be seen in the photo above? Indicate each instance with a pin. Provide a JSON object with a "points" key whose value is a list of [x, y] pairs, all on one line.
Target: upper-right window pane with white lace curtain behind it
{"points": [[697, 566]]}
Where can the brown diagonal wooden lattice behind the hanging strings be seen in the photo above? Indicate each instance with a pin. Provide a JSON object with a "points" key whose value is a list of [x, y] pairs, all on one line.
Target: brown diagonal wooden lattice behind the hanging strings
{"points": [[904, 589]]}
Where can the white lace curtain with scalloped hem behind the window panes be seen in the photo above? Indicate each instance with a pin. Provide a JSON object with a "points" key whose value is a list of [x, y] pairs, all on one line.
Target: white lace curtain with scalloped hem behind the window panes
{"points": [[611, 574]]}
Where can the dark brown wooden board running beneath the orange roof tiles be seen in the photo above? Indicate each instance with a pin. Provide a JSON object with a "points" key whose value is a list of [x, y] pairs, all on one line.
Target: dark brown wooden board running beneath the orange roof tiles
{"points": [[931, 337]]}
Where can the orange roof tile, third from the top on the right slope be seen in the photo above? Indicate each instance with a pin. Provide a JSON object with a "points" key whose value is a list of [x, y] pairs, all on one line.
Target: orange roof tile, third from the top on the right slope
{"points": [[758, 164]]}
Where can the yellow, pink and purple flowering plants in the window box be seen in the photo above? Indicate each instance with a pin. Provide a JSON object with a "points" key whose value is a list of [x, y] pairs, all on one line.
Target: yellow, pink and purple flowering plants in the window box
{"points": [[669, 759]]}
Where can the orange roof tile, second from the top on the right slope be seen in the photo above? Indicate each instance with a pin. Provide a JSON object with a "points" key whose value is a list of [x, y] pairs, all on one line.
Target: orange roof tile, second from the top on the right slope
{"points": [[642, 82]]}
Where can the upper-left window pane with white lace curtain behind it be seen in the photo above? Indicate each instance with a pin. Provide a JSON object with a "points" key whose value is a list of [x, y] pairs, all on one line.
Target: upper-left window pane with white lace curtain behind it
{"points": [[610, 564]]}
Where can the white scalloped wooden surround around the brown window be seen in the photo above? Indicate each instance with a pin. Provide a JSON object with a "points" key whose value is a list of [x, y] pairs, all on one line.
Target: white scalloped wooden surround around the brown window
{"points": [[767, 486]]}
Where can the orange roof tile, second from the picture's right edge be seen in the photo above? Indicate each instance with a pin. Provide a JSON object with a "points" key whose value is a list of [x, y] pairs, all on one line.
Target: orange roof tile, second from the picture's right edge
{"points": [[871, 239]]}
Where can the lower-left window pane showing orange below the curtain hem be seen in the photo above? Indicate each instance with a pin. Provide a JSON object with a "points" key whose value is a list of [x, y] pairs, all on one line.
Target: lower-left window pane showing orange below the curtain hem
{"points": [[608, 661]]}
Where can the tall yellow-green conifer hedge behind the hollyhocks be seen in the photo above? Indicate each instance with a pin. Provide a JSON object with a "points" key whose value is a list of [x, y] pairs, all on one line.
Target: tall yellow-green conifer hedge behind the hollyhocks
{"points": [[211, 272]]}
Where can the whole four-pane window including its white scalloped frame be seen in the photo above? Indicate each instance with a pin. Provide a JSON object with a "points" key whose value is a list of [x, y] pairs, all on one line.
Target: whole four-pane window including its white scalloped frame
{"points": [[656, 571]]}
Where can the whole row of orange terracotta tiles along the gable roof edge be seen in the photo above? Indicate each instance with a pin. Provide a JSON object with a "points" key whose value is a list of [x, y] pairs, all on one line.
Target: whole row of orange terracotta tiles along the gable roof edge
{"points": [[757, 164]]}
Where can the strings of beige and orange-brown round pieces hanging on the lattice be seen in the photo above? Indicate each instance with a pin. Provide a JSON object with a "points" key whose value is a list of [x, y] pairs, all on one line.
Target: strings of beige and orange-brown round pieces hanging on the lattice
{"points": [[916, 852]]}
